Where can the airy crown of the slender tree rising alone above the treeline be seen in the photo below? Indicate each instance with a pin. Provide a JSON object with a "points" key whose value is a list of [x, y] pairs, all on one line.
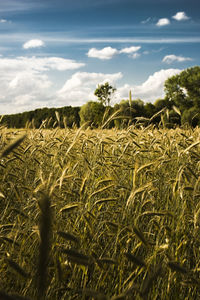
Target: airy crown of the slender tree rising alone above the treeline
{"points": [[104, 93]]}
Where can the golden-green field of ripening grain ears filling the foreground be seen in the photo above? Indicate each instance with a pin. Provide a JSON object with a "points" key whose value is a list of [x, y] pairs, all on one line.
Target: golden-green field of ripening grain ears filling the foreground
{"points": [[100, 214]]}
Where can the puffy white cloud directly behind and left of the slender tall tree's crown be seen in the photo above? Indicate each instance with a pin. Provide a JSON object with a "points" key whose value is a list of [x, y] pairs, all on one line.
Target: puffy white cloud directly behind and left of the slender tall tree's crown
{"points": [[80, 87]]}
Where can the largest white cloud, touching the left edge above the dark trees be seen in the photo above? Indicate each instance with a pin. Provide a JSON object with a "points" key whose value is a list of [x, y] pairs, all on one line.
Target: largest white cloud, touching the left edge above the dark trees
{"points": [[26, 84]]}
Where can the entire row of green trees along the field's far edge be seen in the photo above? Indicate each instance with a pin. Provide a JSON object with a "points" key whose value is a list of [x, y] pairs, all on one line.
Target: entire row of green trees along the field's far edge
{"points": [[181, 105]]}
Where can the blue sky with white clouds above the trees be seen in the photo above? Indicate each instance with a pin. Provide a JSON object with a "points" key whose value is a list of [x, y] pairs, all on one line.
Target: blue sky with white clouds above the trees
{"points": [[54, 53]]}
